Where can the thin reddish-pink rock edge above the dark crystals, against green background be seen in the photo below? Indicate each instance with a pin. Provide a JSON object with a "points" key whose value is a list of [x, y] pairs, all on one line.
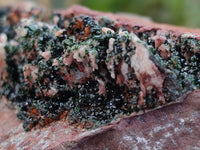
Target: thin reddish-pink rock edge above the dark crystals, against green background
{"points": [[127, 21]]}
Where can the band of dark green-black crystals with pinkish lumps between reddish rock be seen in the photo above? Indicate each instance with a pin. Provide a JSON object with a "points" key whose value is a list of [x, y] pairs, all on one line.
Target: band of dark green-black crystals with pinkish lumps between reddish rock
{"points": [[92, 72]]}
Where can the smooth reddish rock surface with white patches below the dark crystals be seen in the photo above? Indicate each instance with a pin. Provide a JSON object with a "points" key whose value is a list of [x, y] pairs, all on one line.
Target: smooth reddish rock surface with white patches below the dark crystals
{"points": [[176, 126]]}
